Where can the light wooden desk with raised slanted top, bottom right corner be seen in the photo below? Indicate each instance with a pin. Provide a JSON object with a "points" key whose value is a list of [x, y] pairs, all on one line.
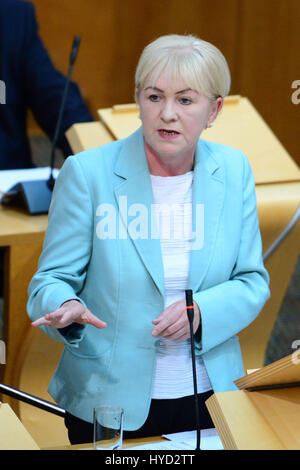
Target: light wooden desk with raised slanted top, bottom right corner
{"points": [[264, 413]]}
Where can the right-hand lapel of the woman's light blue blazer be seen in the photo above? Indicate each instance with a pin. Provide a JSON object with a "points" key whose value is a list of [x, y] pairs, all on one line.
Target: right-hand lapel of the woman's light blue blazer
{"points": [[208, 197]]}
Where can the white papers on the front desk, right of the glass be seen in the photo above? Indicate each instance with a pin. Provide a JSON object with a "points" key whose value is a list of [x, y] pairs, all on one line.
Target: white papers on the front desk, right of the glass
{"points": [[210, 440]]}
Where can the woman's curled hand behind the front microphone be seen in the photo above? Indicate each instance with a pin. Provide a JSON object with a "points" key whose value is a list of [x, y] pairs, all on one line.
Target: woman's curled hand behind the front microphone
{"points": [[173, 322]]}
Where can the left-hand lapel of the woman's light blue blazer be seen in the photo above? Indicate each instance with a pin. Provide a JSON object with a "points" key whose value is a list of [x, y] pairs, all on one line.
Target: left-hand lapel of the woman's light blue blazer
{"points": [[135, 200]]}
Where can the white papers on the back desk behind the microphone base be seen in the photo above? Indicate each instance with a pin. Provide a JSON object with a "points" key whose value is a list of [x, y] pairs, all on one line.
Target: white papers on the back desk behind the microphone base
{"points": [[9, 178]]}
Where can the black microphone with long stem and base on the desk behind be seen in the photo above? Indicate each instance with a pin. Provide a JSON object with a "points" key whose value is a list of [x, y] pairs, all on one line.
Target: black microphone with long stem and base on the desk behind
{"points": [[35, 196]]}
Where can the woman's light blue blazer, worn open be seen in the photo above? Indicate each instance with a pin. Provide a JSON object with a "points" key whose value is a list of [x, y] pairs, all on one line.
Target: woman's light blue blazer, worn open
{"points": [[92, 253]]}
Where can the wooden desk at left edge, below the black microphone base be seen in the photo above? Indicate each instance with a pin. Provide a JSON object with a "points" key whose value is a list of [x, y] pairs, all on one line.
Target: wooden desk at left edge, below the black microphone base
{"points": [[21, 237]]}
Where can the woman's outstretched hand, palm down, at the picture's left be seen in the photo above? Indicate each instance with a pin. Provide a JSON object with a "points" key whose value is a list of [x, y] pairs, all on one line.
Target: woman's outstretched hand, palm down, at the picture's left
{"points": [[69, 312]]}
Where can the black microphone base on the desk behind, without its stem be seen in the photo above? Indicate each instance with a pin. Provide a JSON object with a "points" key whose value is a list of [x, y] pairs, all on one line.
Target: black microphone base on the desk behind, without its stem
{"points": [[33, 196]]}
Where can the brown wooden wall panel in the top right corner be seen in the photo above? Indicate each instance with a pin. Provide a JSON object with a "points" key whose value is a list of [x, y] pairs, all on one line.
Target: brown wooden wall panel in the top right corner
{"points": [[269, 61]]}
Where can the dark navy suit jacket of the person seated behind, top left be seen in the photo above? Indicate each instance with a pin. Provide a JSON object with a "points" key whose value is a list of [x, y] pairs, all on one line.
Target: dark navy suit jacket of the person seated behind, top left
{"points": [[31, 81]]}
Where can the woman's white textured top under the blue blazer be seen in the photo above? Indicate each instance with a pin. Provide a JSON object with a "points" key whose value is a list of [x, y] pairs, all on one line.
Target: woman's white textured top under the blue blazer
{"points": [[173, 197]]}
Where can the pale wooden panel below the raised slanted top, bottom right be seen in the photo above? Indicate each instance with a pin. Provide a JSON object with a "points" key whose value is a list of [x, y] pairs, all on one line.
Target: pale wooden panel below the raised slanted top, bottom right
{"points": [[266, 420]]}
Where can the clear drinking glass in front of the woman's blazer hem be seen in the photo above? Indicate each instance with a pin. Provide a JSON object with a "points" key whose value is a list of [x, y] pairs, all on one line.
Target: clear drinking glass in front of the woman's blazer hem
{"points": [[108, 427]]}
